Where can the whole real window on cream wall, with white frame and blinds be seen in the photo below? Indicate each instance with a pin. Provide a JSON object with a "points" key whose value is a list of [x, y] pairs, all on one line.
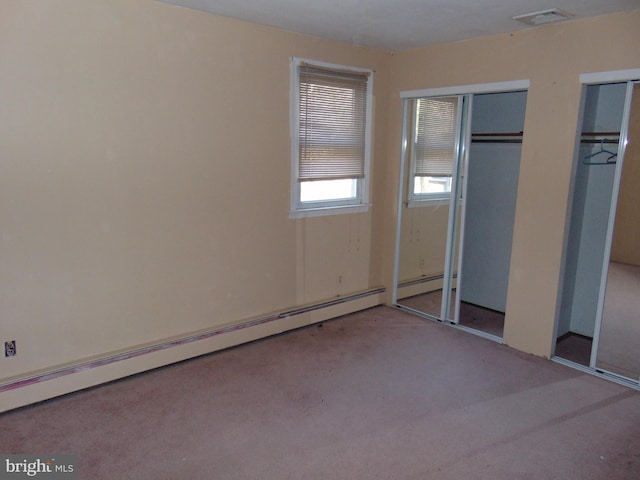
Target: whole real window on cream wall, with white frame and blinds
{"points": [[330, 137]]}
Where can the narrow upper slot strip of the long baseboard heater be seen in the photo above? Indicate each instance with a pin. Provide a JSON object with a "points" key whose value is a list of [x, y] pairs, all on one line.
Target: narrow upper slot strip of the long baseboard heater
{"points": [[80, 367]]}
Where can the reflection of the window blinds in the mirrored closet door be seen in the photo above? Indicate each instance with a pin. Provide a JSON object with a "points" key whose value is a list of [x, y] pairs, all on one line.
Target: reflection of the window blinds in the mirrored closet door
{"points": [[435, 136]]}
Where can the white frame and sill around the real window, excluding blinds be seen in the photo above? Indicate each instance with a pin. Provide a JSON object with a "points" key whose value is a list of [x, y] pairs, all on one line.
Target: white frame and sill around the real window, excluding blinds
{"points": [[360, 203]]}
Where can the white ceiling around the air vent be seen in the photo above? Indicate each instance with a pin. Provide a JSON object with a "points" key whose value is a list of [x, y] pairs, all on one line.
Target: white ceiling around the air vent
{"points": [[395, 25]]}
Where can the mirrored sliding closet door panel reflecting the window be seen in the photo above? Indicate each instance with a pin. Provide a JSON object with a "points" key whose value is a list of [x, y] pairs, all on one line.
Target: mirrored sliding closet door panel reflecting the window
{"points": [[429, 213]]}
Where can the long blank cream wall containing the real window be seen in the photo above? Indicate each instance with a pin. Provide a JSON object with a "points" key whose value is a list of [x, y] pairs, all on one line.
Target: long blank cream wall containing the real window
{"points": [[144, 178]]}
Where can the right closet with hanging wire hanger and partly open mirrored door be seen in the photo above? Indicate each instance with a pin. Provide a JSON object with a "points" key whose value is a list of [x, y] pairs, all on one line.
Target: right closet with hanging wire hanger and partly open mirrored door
{"points": [[599, 316]]}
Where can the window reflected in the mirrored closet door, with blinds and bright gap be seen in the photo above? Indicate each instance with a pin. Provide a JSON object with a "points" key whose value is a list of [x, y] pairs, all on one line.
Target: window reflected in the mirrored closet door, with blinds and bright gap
{"points": [[433, 149]]}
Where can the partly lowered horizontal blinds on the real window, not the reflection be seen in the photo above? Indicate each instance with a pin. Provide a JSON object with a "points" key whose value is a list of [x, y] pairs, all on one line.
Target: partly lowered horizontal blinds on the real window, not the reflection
{"points": [[332, 123]]}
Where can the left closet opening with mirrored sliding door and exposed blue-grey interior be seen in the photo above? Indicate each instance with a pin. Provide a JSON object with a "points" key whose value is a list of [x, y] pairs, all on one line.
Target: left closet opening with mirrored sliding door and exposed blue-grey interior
{"points": [[459, 175]]}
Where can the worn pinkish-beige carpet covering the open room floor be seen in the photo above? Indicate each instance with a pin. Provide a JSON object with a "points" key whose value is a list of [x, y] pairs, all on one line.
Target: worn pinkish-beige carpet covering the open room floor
{"points": [[380, 394]]}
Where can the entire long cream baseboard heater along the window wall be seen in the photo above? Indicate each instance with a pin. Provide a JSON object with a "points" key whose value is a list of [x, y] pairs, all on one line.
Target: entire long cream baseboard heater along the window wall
{"points": [[26, 390]]}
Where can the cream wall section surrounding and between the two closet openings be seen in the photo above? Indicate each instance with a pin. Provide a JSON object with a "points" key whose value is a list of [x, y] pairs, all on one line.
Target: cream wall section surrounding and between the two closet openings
{"points": [[552, 58]]}
